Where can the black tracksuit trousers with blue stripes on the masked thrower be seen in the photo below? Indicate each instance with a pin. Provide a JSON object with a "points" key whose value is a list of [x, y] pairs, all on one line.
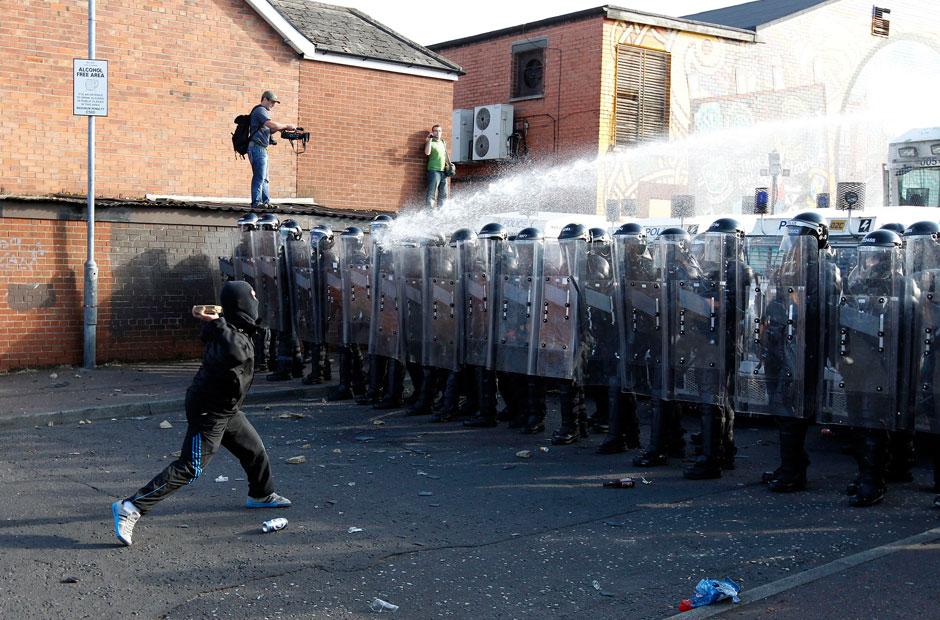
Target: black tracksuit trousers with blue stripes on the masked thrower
{"points": [[206, 431]]}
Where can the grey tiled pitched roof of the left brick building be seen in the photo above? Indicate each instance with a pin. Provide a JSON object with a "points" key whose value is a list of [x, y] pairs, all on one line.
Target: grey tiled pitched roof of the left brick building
{"points": [[350, 32]]}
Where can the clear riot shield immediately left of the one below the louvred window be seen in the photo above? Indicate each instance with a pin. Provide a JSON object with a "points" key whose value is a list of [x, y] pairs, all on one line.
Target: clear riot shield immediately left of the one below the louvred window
{"points": [[600, 331]]}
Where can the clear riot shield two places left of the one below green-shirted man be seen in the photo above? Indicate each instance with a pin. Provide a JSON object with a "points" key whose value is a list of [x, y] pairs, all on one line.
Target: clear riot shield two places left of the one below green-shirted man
{"points": [[385, 328]]}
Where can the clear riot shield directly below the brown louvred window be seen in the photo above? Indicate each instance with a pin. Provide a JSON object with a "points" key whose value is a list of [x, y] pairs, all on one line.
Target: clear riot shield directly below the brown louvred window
{"points": [[642, 312]]}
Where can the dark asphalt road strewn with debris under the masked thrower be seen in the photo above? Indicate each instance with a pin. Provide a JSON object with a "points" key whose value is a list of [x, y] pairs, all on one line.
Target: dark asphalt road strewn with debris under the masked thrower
{"points": [[454, 524]]}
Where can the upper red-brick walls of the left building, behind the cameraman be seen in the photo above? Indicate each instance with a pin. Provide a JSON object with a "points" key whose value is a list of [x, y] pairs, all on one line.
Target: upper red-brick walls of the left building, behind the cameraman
{"points": [[179, 72]]}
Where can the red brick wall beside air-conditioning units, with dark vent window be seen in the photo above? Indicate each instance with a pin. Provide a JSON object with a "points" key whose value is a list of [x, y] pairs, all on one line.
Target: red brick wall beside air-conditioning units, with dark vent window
{"points": [[565, 121]]}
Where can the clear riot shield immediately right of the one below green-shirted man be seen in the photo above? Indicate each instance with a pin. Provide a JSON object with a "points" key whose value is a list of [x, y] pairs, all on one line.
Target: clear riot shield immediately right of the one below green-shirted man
{"points": [[478, 265]]}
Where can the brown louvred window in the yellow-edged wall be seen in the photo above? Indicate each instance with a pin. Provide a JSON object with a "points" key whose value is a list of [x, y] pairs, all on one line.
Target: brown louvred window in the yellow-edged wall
{"points": [[642, 105]]}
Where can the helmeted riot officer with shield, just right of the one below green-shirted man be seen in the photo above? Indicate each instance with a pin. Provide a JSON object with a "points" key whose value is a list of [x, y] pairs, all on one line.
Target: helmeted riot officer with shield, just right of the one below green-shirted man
{"points": [[481, 273]]}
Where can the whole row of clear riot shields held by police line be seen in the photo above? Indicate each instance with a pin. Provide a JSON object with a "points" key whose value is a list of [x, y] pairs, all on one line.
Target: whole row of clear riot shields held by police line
{"points": [[768, 325]]}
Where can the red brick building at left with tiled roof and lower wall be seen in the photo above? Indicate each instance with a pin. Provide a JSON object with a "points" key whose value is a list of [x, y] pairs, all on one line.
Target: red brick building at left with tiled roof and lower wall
{"points": [[179, 72]]}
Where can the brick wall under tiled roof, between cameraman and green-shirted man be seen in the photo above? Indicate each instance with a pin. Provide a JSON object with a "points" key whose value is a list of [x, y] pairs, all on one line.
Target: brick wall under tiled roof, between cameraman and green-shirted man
{"points": [[368, 131]]}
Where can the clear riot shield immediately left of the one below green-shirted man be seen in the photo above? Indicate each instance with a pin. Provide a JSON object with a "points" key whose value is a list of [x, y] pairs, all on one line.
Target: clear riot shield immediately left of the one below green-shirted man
{"points": [[412, 273]]}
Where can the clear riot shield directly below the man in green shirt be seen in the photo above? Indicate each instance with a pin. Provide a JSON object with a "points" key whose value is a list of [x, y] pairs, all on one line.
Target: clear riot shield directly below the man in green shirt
{"points": [[441, 306]]}
